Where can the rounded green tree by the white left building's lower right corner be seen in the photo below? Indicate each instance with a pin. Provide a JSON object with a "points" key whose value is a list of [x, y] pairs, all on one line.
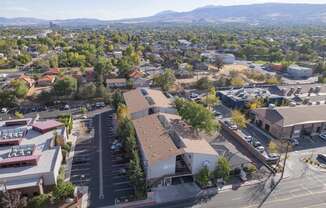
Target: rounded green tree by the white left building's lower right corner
{"points": [[63, 190]]}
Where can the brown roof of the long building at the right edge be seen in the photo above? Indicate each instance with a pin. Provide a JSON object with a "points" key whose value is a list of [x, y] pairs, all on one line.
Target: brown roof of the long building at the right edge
{"points": [[290, 116]]}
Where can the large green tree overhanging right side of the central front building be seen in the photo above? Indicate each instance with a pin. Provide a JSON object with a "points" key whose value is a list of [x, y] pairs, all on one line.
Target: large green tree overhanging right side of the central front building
{"points": [[196, 115]]}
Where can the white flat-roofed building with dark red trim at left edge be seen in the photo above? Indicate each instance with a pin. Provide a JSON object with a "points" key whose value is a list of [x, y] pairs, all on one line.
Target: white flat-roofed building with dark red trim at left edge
{"points": [[31, 162]]}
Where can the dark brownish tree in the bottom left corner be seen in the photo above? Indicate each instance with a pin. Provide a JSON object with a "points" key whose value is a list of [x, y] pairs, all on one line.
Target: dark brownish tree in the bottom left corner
{"points": [[12, 199]]}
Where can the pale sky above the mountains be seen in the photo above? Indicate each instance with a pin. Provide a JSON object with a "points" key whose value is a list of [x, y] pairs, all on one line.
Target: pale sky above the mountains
{"points": [[112, 9]]}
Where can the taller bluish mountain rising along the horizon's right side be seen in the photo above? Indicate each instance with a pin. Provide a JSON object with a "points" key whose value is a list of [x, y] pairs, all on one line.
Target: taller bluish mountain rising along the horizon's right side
{"points": [[271, 13]]}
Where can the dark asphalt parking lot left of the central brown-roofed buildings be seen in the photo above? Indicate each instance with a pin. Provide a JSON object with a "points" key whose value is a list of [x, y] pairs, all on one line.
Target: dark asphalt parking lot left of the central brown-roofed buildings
{"points": [[108, 182]]}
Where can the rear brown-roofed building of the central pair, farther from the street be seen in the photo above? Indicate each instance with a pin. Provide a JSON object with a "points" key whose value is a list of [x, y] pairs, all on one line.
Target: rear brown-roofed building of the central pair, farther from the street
{"points": [[146, 101]]}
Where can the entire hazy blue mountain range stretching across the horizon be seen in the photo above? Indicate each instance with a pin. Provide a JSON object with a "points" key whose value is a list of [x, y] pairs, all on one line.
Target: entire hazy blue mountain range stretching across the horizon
{"points": [[258, 14]]}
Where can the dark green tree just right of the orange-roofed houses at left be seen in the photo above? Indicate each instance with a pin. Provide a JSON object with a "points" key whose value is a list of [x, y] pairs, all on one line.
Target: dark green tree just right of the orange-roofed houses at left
{"points": [[65, 86]]}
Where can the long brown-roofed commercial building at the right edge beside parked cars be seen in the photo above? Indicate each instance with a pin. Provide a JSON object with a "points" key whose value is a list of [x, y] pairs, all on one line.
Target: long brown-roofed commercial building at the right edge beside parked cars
{"points": [[292, 122]]}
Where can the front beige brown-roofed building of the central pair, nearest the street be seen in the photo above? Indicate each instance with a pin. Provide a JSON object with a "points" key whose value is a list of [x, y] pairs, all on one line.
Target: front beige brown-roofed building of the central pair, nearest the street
{"points": [[169, 148]]}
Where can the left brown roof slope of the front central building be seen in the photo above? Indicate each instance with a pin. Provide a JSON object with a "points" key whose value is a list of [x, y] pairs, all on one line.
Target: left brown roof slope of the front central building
{"points": [[154, 139]]}
